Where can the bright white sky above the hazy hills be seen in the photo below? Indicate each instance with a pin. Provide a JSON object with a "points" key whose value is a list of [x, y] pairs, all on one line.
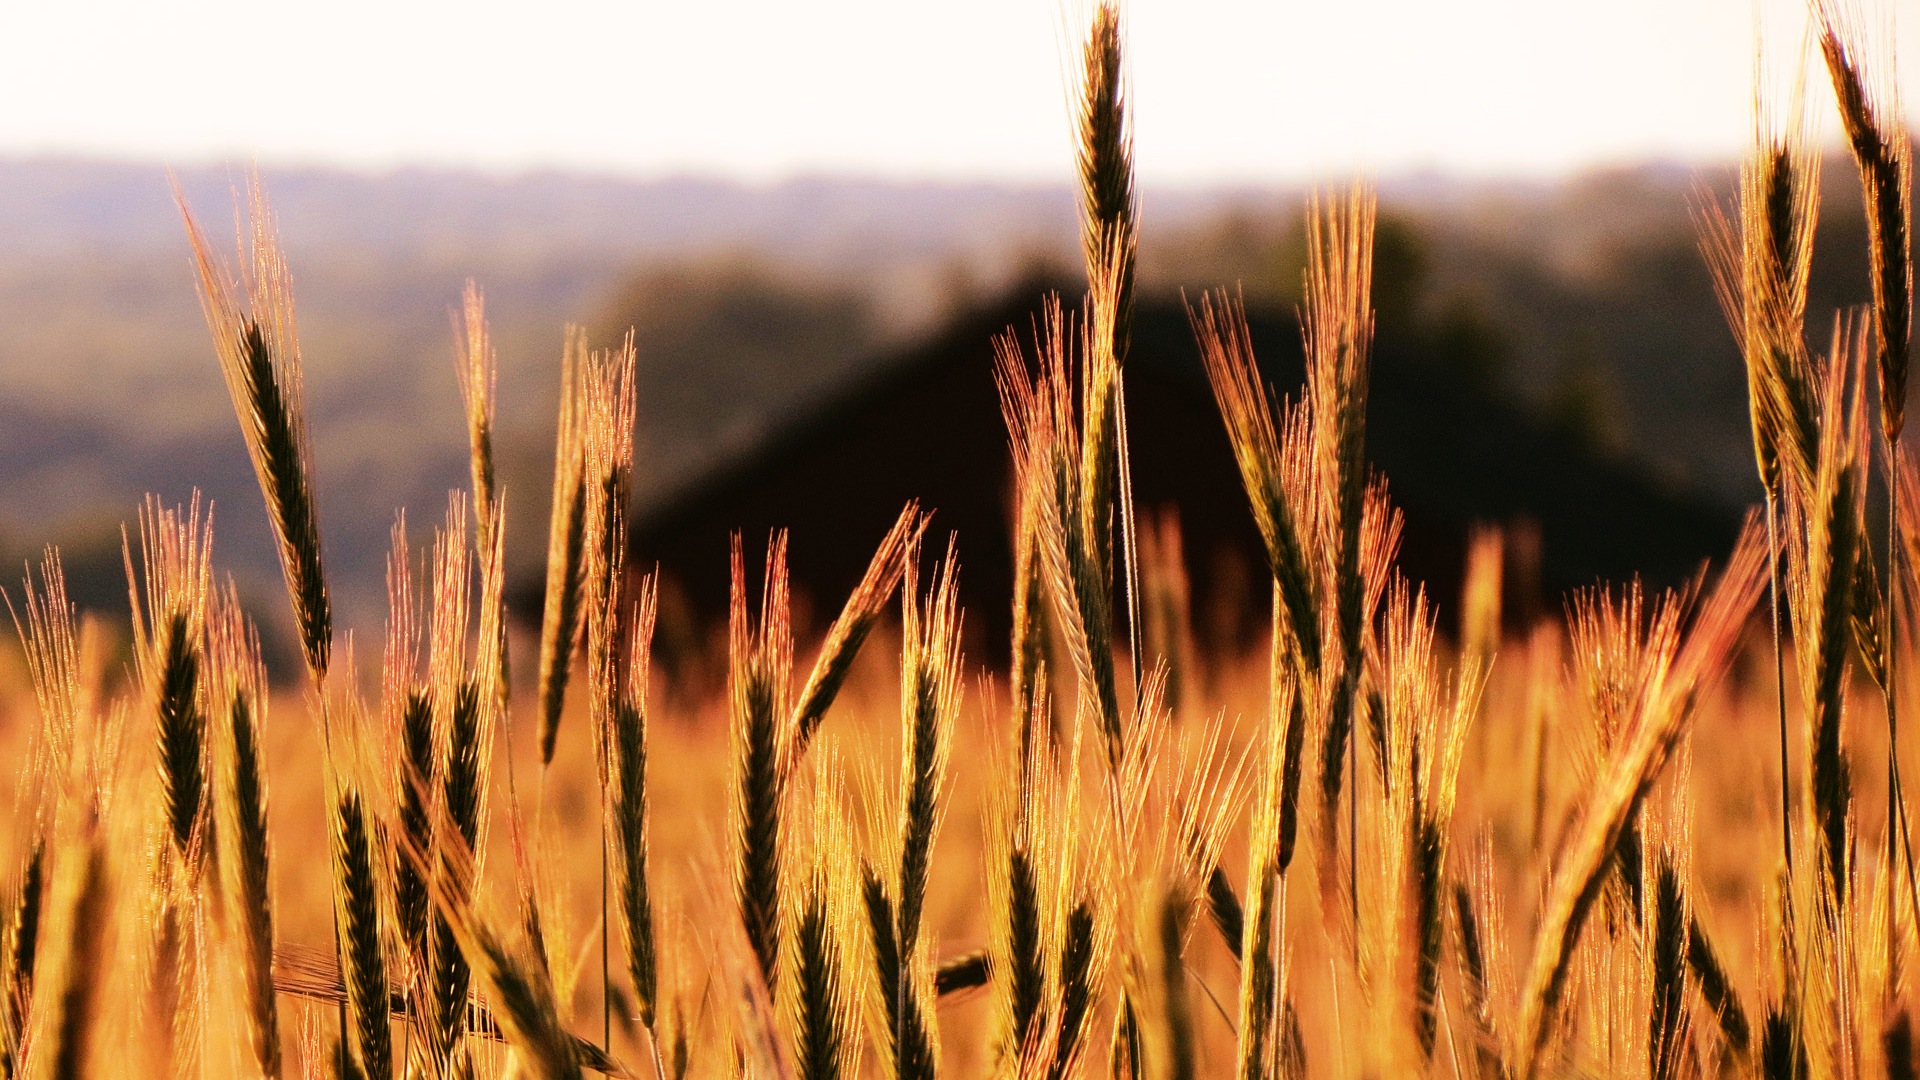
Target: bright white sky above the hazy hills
{"points": [[938, 89]]}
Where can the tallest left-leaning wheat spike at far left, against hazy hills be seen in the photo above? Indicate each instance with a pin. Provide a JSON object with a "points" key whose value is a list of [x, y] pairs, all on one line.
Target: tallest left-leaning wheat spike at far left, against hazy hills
{"points": [[260, 356]]}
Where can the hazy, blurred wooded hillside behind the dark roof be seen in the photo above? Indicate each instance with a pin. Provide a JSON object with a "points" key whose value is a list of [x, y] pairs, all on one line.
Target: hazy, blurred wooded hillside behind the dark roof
{"points": [[1585, 303]]}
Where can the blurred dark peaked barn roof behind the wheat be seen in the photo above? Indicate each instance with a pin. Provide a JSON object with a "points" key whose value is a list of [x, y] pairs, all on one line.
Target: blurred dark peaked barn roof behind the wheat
{"points": [[930, 430]]}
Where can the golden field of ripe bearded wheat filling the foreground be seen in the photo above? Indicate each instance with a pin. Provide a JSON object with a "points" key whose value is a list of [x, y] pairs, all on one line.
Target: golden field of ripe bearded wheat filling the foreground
{"points": [[1664, 835]]}
